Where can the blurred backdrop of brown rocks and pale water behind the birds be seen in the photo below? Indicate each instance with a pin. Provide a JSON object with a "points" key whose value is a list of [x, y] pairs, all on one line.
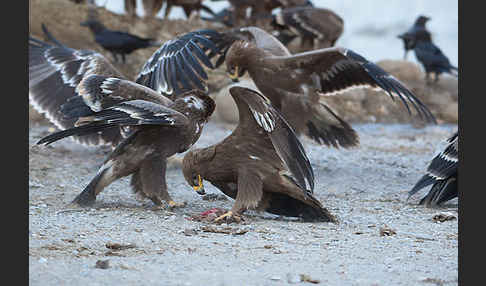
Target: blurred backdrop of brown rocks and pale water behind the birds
{"points": [[370, 29]]}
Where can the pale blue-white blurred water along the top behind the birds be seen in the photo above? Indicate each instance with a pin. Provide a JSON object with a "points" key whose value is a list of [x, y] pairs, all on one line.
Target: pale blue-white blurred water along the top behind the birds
{"points": [[370, 26]]}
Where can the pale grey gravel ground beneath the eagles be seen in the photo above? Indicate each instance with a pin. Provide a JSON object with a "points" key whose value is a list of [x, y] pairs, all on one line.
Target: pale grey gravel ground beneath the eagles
{"points": [[382, 239]]}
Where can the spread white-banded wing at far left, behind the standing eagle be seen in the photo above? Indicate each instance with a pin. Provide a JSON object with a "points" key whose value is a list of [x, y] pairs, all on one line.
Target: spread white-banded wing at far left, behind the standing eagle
{"points": [[54, 73]]}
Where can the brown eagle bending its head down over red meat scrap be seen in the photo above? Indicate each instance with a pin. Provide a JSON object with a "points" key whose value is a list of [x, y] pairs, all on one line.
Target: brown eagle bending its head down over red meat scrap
{"points": [[262, 164]]}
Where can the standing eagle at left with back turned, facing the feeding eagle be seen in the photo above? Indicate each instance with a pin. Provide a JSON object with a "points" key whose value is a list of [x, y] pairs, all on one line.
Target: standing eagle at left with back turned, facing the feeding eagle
{"points": [[153, 128]]}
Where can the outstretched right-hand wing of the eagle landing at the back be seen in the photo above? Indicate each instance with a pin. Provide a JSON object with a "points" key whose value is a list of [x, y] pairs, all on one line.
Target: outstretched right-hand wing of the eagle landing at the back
{"points": [[335, 70]]}
